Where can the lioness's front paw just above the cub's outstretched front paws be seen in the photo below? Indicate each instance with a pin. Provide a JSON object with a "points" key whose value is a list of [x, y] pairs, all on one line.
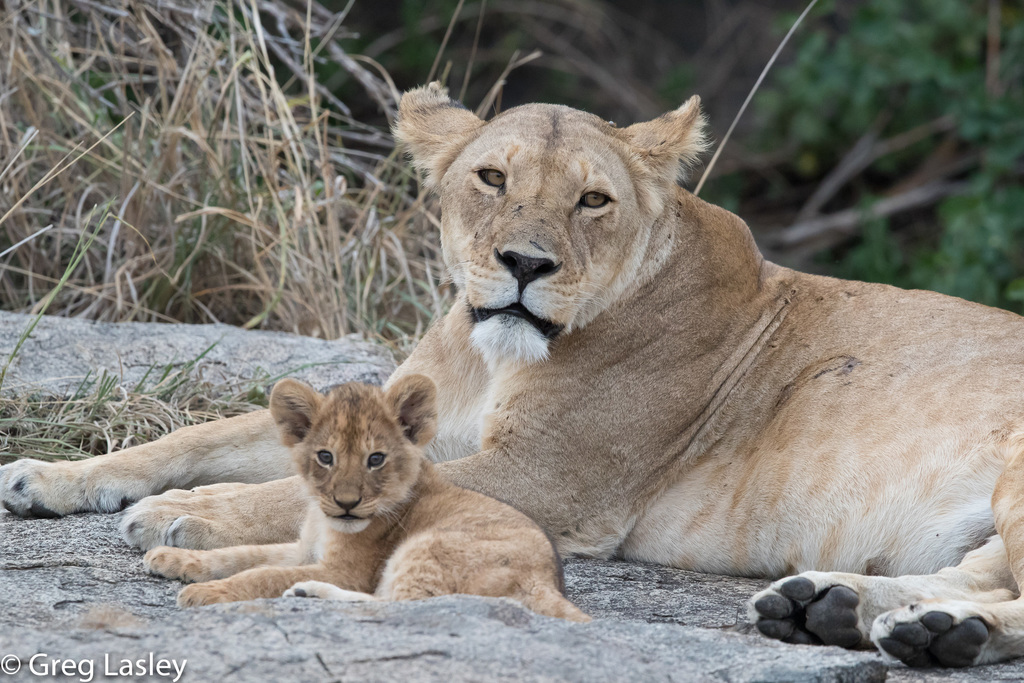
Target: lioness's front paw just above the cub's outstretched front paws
{"points": [[175, 520]]}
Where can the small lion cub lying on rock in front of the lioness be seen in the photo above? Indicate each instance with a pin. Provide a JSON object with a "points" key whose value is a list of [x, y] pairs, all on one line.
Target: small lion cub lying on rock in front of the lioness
{"points": [[382, 524]]}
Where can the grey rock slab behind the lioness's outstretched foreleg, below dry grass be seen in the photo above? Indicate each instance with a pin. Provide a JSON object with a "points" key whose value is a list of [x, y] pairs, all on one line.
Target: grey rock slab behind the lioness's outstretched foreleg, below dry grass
{"points": [[62, 353]]}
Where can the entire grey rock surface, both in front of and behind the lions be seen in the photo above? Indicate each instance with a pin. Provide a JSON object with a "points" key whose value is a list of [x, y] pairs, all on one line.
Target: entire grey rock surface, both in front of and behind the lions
{"points": [[72, 589]]}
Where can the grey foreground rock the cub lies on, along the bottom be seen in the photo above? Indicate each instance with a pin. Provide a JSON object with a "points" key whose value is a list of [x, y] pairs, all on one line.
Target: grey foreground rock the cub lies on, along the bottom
{"points": [[72, 590]]}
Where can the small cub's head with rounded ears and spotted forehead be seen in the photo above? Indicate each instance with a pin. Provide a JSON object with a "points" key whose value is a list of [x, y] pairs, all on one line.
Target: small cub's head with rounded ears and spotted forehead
{"points": [[359, 449]]}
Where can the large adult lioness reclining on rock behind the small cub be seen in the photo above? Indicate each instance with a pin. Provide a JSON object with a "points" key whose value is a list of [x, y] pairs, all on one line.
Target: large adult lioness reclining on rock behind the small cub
{"points": [[623, 366]]}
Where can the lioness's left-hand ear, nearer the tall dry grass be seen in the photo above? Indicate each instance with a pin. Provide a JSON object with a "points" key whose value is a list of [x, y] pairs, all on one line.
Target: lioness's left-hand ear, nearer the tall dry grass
{"points": [[435, 129]]}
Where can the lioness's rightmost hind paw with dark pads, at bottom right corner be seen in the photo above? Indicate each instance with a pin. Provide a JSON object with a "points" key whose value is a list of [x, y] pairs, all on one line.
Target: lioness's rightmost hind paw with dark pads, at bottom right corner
{"points": [[933, 634]]}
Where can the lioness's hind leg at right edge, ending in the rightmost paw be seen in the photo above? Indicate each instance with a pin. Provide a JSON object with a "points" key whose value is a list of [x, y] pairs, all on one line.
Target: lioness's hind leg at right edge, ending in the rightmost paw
{"points": [[962, 632]]}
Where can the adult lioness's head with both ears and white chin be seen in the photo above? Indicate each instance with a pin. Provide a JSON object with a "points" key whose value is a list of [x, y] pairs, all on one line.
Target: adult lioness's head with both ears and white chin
{"points": [[546, 211]]}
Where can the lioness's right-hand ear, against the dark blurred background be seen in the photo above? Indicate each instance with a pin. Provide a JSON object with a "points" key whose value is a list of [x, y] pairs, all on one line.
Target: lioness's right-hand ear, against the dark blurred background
{"points": [[671, 144]]}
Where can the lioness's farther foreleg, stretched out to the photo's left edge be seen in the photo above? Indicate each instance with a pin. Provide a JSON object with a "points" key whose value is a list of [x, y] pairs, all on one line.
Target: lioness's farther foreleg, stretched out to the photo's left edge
{"points": [[245, 449]]}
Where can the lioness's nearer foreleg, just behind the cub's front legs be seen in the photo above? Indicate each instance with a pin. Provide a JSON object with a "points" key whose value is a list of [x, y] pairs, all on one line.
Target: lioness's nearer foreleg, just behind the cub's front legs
{"points": [[220, 516]]}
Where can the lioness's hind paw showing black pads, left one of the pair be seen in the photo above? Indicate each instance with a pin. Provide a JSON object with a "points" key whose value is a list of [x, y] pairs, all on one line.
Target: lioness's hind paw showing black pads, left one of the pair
{"points": [[810, 610]]}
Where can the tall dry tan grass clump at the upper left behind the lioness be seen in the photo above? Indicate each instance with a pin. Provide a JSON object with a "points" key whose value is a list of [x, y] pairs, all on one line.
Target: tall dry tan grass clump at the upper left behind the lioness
{"points": [[236, 196]]}
